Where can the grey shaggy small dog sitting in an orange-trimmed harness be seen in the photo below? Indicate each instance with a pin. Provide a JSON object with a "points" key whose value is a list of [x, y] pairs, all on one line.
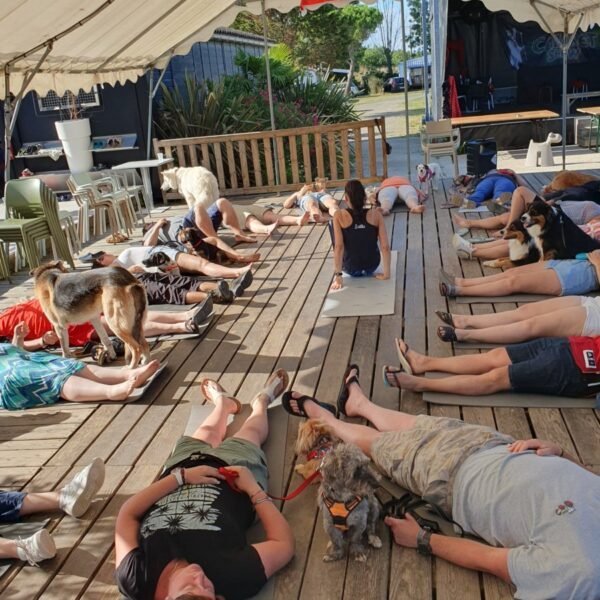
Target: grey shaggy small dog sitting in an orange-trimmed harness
{"points": [[346, 477]]}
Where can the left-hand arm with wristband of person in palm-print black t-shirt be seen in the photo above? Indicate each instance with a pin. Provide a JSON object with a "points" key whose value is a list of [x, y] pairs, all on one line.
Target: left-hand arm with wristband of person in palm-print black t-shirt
{"points": [[128, 521]]}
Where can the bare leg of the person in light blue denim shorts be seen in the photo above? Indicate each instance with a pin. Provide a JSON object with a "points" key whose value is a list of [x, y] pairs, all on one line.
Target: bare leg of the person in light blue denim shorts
{"points": [[534, 282]]}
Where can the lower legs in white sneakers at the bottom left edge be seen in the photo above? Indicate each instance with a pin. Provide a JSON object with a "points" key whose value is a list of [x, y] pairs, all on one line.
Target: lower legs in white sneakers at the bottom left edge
{"points": [[73, 499]]}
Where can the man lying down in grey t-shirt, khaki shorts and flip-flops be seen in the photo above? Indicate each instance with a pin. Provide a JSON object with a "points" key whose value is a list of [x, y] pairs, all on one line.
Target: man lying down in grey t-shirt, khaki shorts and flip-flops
{"points": [[530, 500]]}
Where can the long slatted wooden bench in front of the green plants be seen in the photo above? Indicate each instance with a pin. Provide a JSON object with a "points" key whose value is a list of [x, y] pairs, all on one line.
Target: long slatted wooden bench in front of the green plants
{"points": [[282, 160]]}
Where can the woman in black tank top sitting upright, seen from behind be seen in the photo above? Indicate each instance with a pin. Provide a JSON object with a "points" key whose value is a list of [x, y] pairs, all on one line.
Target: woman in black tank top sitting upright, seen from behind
{"points": [[360, 238]]}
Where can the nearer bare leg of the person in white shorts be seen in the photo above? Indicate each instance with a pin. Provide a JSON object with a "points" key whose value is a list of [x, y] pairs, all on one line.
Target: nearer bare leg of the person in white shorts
{"points": [[560, 323]]}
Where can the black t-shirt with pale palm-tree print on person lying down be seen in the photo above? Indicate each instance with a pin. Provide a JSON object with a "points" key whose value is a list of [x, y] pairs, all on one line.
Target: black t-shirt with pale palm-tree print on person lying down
{"points": [[202, 524]]}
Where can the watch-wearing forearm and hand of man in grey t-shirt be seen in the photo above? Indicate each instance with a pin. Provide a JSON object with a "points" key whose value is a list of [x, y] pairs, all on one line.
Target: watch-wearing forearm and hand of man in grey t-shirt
{"points": [[459, 551]]}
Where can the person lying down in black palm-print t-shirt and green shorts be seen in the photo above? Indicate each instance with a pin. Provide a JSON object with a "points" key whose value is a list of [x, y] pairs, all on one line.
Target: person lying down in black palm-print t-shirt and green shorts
{"points": [[184, 536]]}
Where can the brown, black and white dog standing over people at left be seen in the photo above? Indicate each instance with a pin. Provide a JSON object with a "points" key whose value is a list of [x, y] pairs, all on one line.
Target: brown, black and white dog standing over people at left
{"points": [[81, 297]]}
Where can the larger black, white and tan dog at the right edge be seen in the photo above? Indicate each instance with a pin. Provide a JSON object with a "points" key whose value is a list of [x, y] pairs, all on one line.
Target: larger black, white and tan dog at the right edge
{"points": [[557, 237]]}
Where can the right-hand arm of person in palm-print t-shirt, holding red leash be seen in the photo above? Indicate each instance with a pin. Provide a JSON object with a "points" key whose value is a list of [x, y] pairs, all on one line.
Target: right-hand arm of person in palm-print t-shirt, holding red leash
{"points": [[278, 547]]}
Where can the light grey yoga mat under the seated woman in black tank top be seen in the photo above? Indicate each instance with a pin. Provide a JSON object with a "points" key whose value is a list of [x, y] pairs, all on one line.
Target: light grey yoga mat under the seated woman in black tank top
{"points": [[363, 296]]}
